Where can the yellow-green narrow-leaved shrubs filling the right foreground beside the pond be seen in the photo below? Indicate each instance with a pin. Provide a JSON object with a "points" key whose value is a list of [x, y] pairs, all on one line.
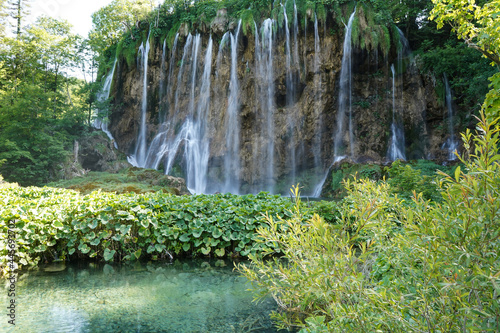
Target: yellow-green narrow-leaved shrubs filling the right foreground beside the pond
{"points": [[389, 267]]}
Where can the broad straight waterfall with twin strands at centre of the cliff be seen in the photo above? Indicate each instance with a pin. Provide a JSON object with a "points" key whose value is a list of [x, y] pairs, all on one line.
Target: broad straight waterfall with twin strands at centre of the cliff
{"points": [[265, 99]]}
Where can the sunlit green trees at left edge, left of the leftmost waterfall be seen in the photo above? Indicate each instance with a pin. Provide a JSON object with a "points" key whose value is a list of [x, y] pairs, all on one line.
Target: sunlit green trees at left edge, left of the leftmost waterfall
{"points": [[42, 109]]}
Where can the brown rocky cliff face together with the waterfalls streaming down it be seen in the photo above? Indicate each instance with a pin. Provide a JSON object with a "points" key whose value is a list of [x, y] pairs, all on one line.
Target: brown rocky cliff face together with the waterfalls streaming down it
{"points": [[265, 116]]}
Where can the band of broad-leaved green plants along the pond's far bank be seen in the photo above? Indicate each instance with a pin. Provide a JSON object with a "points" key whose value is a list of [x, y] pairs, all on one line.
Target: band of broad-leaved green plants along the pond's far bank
{"points": [[57, 223]]}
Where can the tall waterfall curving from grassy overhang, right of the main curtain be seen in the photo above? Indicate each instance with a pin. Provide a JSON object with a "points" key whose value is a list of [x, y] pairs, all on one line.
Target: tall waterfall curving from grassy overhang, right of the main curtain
{"points": [[345, 92]]}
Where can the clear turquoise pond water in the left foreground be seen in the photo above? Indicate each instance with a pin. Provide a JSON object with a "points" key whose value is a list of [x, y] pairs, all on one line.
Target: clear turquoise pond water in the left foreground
{"points": [[194, 296]]}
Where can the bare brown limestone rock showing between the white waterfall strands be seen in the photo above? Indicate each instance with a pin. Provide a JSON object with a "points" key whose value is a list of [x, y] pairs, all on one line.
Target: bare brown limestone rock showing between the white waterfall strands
{"points": [[305, 128]]}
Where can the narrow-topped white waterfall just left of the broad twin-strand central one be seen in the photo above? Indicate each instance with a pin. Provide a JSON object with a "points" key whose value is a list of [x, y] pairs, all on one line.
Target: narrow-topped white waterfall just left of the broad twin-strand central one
{"points": [[232, 124]]}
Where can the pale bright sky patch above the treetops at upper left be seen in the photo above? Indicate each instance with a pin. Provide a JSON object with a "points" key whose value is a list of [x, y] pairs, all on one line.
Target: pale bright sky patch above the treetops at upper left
{"points": [[77, 12]]}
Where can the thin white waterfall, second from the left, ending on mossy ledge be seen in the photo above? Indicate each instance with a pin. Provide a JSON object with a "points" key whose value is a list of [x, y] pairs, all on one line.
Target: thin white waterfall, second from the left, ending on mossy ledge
{"points": [[139, 157]]}
